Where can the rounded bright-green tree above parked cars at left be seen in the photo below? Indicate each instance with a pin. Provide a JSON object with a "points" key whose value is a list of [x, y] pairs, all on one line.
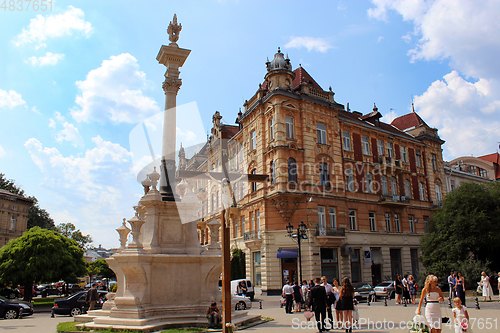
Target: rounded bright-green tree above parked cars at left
{"points": [[40, 255]]}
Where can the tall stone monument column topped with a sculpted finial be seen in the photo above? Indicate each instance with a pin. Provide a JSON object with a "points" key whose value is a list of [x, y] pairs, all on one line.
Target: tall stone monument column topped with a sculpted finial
{"points": [[172, 57]]}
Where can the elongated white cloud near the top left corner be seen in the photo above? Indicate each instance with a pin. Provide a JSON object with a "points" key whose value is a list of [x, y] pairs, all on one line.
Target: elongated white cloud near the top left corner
{"points": [[42, 28]]}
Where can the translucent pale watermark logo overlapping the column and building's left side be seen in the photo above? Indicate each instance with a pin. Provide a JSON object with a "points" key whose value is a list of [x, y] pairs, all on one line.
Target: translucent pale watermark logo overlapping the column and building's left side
{"points": [[146, 142]]}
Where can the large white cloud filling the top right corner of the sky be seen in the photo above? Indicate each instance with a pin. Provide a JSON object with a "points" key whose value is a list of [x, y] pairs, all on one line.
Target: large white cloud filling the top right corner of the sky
{"points": [[463, 31]]}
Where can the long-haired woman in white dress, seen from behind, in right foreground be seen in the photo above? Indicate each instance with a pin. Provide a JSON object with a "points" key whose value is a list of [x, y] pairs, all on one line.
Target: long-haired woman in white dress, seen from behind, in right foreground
{"points": [[432, 310]]}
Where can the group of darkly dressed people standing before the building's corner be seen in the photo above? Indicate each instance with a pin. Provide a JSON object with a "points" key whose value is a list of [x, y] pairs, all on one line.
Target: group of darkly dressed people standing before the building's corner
{"points": [[322, 298]]}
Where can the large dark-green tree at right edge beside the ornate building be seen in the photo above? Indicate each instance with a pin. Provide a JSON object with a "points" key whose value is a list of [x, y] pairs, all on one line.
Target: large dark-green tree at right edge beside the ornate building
{"points": [[465, 231]]}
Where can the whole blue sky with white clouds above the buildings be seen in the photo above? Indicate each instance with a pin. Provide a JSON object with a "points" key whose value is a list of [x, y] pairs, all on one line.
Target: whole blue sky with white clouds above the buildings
{"points": [[76, 80]]}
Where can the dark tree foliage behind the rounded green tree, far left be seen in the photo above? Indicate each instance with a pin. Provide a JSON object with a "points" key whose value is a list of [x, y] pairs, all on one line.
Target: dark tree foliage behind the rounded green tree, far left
{"points": [[36, 215]]}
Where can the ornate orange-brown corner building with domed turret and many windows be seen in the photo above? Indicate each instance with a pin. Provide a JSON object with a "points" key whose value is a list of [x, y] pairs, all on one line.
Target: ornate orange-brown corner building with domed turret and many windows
{"points": [[364, 189]]}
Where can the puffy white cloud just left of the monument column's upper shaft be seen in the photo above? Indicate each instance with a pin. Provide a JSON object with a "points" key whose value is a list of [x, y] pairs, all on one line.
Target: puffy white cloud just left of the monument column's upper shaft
{"points": [[114, 92]]}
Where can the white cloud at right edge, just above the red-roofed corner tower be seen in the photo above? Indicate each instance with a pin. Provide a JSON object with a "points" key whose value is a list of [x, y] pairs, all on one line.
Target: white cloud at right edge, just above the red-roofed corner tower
{"points": [[466, 114]]}
